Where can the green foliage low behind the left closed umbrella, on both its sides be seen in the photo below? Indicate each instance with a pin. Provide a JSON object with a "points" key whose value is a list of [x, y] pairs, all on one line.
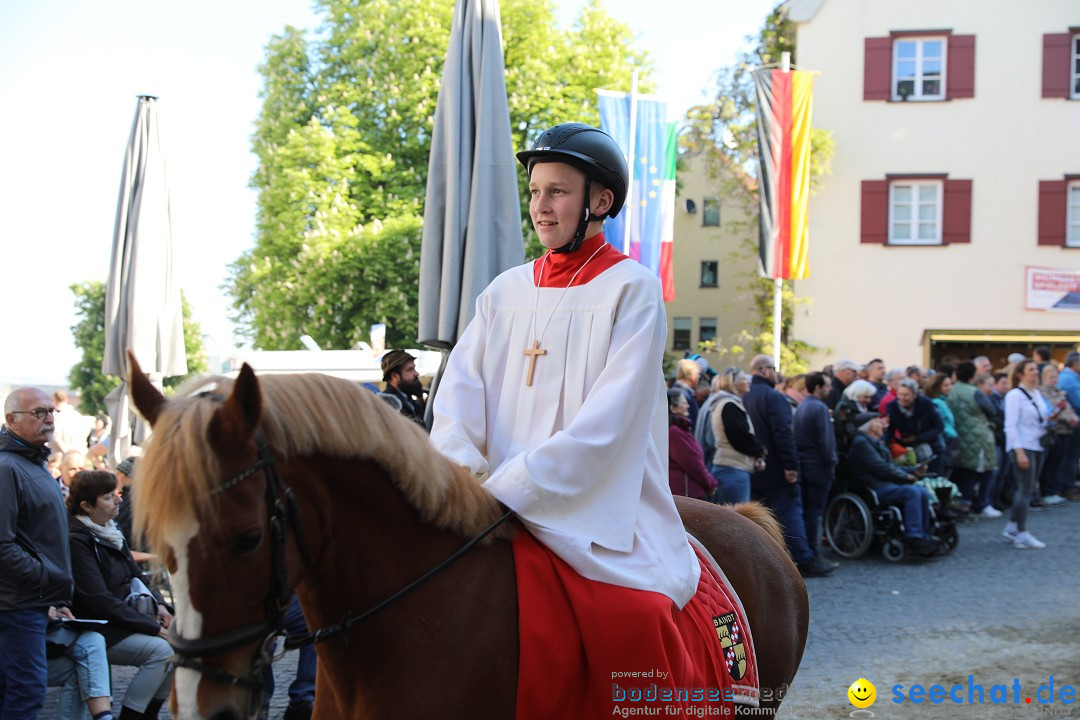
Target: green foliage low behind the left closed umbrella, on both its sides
{"points": [[89, 336]]}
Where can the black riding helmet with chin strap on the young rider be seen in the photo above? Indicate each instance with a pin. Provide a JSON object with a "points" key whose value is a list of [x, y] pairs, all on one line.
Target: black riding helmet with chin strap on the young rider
{"points": [[593, 153]]}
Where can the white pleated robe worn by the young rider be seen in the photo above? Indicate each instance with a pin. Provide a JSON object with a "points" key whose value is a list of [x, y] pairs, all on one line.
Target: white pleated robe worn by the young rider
{"points": [[580, 456]]}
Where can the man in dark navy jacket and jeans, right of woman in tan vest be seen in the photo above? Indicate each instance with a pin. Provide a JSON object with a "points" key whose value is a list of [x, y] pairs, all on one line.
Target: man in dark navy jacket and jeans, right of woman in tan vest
{"points": [[778, 485]]}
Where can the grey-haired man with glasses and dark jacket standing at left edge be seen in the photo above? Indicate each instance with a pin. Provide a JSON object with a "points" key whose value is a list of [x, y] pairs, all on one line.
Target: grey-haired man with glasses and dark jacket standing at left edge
{"points": [[35, 561]]}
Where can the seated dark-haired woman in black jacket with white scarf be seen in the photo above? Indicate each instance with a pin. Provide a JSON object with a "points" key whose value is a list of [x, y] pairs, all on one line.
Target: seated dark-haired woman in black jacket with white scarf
{"points": [[106, 579]]}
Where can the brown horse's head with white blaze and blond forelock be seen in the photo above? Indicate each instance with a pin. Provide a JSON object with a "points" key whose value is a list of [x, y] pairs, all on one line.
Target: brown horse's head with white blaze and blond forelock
{"points": [[227, 527]]}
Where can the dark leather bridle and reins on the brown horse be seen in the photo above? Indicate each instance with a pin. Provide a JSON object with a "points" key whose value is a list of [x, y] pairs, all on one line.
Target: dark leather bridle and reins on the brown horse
{"points": [[283, 513]]}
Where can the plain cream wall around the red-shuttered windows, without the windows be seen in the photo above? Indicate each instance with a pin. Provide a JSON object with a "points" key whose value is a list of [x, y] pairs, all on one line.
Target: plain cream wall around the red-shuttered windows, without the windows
{"points": [[873, 301]]}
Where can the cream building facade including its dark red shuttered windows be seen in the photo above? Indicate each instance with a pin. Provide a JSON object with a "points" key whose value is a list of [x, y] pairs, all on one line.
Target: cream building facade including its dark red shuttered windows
{"points": [[950, 226]]}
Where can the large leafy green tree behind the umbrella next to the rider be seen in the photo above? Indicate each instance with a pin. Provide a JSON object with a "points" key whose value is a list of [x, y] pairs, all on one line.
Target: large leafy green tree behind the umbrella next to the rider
{"points": [[343, 144]]}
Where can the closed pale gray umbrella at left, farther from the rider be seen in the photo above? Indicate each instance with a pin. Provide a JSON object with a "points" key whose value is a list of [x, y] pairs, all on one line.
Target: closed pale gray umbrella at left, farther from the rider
{"points": [[142, 300]]}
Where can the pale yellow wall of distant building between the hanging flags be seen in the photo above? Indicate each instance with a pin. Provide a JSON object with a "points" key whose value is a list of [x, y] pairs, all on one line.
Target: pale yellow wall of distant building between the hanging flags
{"points": [[725, 244]]}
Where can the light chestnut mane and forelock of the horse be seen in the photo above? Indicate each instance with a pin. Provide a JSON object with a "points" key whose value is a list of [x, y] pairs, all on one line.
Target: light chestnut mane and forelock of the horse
{"points": [[303, 415]]}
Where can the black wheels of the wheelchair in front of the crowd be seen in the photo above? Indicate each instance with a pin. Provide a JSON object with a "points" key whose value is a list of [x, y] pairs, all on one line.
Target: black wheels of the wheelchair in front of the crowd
{"points": [[856, 521]]}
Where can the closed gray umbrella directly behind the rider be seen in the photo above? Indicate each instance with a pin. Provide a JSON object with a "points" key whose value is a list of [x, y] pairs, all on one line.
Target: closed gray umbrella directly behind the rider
{"points": [[472, 221]]}
